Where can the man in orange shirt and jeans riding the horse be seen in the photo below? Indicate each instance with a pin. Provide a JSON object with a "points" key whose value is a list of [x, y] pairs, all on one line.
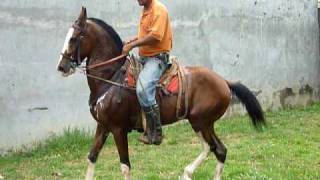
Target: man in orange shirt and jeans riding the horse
{"points": [[155, 42]]}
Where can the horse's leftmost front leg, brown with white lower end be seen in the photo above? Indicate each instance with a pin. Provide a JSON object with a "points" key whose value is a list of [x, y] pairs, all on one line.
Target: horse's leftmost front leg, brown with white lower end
{"points": [[99, 140]]}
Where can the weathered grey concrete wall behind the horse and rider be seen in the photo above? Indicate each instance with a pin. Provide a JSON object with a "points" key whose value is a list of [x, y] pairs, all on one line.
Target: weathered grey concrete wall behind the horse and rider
{"points": [[271, 46]]}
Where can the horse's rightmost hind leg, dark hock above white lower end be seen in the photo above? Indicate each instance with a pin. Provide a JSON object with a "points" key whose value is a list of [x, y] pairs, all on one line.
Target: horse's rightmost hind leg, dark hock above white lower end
{"points": [[218, 149]]}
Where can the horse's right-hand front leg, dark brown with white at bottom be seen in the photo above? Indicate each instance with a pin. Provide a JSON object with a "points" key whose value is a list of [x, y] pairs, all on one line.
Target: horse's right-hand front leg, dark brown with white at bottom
{"points": [[121, 140]]}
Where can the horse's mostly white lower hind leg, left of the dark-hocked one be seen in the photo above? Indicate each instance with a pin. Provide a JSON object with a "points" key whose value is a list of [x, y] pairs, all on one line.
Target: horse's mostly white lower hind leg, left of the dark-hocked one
{"points": [[188, 171]]}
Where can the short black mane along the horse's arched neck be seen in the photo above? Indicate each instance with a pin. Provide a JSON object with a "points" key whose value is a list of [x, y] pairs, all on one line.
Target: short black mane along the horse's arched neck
{"points": [[114, 35]]}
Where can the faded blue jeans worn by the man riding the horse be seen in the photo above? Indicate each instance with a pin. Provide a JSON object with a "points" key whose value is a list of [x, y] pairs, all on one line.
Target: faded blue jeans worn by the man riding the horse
{"points": [[148, 79]]}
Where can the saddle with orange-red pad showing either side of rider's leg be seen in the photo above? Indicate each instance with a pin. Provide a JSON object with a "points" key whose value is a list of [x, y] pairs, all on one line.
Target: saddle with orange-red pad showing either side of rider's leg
{"points": [[169, 81]]}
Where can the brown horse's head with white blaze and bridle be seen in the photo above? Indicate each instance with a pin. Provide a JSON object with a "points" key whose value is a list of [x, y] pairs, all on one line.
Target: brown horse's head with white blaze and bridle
{"points": [[76, 46]]}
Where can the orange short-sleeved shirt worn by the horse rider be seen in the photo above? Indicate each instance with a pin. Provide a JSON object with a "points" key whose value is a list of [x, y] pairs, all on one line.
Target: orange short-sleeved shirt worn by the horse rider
{"points": [[155, 21]]}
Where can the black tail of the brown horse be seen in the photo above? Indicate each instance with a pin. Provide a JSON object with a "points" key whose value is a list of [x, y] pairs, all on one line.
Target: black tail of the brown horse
{"points": [[251, 103]]}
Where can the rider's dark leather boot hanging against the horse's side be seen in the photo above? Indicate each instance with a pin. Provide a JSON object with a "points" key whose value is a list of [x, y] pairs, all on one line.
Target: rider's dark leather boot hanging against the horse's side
{"points": [[154, 129]]}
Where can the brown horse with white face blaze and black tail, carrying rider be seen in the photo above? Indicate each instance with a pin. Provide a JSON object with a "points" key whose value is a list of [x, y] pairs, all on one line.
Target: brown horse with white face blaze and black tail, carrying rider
{"points": [[115, 108]]}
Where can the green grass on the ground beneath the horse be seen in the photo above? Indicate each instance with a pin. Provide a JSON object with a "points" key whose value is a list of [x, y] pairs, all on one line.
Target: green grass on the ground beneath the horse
{"points": [[288, 149]]}
